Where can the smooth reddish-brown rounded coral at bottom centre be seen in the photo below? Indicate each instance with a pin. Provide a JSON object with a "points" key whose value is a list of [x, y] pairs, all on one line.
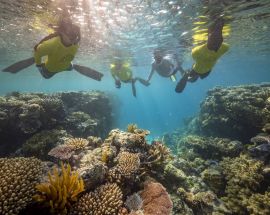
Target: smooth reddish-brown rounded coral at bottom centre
{"points": [[156, 200]]}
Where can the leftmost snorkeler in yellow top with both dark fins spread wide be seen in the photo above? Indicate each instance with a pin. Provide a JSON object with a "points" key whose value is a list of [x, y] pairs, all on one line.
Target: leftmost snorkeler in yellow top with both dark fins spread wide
{"points": [[54, 53]]}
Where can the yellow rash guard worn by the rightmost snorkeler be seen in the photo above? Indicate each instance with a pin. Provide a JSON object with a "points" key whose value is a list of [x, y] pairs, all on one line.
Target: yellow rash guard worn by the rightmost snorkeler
{"points": [[206, 59]]}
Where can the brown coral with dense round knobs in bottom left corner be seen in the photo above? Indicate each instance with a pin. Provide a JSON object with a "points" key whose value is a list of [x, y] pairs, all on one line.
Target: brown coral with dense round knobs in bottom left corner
{"points": [[18, 177]]}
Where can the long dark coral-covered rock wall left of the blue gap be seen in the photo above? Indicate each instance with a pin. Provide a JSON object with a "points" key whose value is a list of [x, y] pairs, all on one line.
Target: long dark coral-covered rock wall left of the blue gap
{"points": [[26, 114]]}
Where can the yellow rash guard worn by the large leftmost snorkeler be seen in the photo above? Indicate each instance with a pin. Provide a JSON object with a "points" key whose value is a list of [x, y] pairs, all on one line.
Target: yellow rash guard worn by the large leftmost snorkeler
{"points": [[58, 56]]}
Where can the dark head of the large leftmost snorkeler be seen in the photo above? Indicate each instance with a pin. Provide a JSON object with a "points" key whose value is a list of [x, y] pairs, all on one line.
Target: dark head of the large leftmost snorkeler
{"points": [[69, 32]]}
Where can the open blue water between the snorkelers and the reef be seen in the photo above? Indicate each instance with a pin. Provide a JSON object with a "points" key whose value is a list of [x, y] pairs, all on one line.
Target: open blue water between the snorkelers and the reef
{"points": [[157, 107]]}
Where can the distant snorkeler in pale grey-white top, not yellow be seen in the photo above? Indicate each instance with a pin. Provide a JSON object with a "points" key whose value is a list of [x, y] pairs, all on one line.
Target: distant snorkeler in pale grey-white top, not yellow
{"points": [[164, 66]]}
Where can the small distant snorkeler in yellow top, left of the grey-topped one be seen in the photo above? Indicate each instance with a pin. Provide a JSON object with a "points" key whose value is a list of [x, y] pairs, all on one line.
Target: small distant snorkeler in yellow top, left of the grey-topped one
{"points": [[121, 72]]}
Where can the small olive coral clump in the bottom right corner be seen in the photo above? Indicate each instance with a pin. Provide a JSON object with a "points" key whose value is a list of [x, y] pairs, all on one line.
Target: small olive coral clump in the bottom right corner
{"points": [[258, 204]]}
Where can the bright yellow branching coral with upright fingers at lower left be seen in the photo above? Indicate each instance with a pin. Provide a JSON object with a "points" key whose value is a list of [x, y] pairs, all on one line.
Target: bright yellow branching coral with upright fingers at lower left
{"points": [[61, 190]]}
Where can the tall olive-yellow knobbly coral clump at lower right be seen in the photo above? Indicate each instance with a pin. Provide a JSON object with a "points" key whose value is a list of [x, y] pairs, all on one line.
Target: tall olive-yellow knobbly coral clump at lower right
{"points": [[243, 175]]}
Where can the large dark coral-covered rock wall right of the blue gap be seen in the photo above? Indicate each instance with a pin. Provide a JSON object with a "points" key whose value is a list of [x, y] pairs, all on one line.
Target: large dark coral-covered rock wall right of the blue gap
{"points": [[234, 112]]}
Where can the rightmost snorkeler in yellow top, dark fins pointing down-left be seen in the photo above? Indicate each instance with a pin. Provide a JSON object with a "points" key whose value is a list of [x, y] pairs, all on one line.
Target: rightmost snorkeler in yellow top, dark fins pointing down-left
{"points": [[205, 56]]}
